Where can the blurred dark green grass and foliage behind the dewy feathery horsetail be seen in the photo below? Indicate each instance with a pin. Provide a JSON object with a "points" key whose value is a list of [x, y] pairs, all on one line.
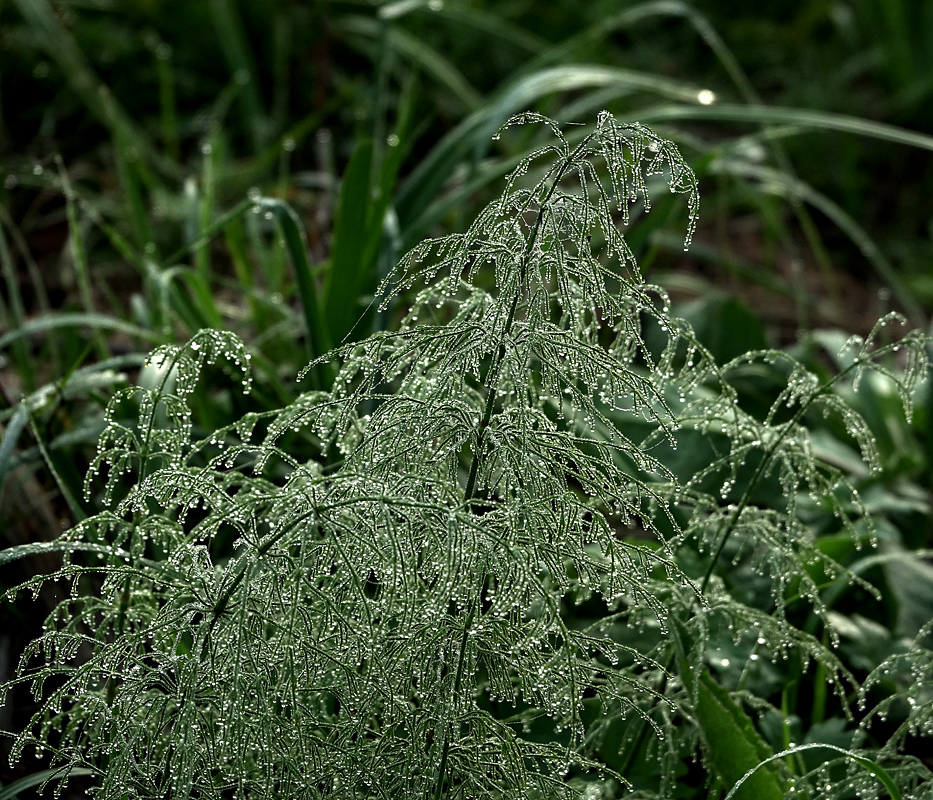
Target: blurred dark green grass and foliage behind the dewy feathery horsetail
{"points": [[258, 165]]}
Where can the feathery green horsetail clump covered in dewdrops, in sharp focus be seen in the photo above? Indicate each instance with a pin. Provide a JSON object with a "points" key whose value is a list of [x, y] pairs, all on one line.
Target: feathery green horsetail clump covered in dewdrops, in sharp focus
{"points": [[493, 583]]}
